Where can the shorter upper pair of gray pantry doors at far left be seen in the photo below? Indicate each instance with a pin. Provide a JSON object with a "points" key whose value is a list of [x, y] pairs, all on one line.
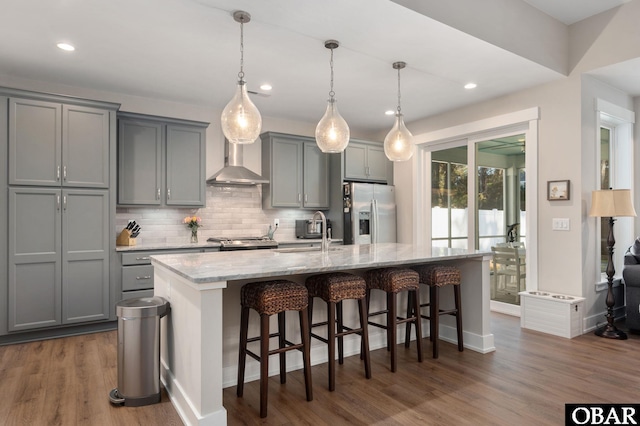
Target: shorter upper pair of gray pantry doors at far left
{"points": [[53, 144]]}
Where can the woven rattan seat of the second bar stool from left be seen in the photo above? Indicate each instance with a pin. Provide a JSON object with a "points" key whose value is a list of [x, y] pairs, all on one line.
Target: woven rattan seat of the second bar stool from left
{"points": [[336, 286]]}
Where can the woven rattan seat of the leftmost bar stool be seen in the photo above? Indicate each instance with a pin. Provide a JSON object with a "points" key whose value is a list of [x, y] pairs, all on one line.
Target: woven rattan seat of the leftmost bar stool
{"points": [[272, 297]]}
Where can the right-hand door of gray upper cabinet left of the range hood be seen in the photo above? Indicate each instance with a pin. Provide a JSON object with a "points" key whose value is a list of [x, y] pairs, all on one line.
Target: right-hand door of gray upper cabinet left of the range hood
{"points": [[185, 166]]}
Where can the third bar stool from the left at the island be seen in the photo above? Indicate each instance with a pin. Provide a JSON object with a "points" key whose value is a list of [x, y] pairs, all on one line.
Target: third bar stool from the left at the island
{"points": [[392, 281]]}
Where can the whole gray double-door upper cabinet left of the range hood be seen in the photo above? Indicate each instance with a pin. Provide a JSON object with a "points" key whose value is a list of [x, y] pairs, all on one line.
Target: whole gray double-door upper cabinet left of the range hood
{"points": [[161, 161]]}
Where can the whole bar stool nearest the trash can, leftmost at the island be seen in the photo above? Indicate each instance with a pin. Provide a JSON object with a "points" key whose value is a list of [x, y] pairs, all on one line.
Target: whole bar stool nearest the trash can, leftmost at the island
{"points": [[270, 298]]}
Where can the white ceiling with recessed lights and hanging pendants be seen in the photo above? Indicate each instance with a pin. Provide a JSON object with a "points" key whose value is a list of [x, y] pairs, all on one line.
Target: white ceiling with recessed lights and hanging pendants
{"points": [[187, 51]]}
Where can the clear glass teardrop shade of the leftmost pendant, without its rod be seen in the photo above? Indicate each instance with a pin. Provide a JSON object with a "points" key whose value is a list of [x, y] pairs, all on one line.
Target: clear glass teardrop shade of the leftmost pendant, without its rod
{"points": [[241, 120]]}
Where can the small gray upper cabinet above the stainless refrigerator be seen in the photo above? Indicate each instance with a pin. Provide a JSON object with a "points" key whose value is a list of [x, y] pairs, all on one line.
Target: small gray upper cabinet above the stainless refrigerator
{"points": [[366, 161]]}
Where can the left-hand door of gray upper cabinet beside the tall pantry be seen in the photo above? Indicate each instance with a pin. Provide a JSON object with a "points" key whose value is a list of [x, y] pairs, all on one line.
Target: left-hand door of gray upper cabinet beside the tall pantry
{"points": [[139, 162]]}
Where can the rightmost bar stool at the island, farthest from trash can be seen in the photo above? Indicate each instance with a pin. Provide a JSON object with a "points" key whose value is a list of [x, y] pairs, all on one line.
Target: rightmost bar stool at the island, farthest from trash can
{"points": [[436, 276]]}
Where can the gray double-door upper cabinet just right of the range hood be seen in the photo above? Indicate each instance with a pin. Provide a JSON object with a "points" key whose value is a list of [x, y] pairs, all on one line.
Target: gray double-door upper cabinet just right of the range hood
{"points": [[297, 170]]}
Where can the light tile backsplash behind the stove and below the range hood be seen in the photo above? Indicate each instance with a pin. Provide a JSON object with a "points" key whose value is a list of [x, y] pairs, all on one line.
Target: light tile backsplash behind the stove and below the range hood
{"points": [[230, 211]]}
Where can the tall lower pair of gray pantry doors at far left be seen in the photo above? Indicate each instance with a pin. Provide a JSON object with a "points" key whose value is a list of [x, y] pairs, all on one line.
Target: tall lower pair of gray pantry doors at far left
{"points": [[58, 257]]}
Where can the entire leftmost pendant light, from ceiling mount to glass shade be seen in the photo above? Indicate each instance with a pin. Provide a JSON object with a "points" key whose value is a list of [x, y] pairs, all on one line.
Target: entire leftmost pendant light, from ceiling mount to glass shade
{"points": [[241, 120]]}
